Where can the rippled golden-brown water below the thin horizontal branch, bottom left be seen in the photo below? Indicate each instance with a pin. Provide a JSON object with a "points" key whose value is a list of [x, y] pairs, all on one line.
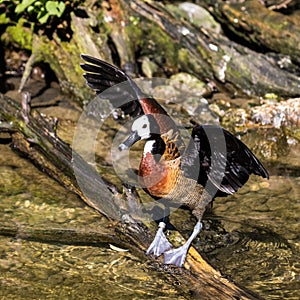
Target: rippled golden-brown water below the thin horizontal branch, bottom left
{"points": [[31, 270]]}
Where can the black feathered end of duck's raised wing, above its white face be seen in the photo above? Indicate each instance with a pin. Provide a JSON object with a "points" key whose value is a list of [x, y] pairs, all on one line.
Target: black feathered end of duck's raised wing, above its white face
{"points": [[113, 84]]}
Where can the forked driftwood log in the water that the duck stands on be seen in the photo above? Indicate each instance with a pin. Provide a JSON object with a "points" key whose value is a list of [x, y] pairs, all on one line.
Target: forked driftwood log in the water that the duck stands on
{"points": [[34, 136]]}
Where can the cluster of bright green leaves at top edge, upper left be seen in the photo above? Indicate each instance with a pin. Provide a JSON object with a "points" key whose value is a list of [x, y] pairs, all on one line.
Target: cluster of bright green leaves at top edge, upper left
{"points": [[41, 9]]}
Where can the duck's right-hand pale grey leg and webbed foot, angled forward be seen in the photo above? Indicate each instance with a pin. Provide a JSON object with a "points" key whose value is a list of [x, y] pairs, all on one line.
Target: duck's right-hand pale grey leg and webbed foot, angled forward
{"points": [[177, 256]]}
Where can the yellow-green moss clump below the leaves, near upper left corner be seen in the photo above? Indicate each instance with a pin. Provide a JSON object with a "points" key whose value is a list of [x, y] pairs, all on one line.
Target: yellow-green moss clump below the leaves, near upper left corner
{"points": [[21, 34]]}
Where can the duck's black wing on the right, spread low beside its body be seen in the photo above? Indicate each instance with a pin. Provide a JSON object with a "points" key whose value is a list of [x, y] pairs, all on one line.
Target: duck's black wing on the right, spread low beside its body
{"points": [[219, 161]]}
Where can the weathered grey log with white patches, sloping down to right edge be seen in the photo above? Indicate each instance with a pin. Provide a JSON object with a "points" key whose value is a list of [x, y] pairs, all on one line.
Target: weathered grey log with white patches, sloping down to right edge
{"points": [[213, 56]]}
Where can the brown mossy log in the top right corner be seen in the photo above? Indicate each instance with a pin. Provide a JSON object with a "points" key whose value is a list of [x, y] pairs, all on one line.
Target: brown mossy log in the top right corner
{"points": [[259, 27]]}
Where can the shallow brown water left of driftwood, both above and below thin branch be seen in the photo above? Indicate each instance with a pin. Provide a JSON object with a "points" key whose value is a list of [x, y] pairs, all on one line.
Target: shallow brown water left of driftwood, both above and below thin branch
{"points": [[36, 270]]}
